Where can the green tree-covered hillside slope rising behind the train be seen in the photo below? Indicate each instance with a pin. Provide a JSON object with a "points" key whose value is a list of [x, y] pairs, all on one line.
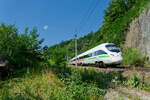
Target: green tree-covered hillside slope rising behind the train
{"points": [[118, 16]]}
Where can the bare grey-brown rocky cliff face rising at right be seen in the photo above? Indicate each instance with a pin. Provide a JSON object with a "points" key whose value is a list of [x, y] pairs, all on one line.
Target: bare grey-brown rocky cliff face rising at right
{"points": [[138, 35]]}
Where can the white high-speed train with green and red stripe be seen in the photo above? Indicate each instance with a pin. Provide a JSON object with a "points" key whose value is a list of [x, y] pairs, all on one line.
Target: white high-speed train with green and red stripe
{"points": [[101, 55]]}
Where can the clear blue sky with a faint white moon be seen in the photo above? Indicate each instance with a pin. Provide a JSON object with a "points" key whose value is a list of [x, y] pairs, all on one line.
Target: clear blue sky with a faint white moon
{"points": [[56, 20]]}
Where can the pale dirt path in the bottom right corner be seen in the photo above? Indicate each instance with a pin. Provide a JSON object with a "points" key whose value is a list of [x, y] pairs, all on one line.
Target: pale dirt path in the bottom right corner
{"points": [[126, 94]]}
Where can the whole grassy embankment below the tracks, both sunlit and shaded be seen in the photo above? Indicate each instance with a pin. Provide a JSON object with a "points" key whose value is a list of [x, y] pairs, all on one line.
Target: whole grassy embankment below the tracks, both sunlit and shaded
{"points": [[66, 83]]}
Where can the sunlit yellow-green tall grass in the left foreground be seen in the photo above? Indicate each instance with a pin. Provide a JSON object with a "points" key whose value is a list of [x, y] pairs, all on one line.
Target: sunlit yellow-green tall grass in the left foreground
{"points": [[47, 86]]}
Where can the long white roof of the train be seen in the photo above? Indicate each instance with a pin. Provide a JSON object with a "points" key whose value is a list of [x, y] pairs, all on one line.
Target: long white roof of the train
{"points": [[91, 50]]}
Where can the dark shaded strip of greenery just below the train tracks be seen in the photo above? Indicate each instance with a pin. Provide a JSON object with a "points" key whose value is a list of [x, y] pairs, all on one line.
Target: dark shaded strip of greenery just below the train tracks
{"points": [[103, 80]]}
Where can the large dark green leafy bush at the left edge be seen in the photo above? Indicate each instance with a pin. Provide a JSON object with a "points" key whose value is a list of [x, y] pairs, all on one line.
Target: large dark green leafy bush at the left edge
{"points": [[21, 50]]}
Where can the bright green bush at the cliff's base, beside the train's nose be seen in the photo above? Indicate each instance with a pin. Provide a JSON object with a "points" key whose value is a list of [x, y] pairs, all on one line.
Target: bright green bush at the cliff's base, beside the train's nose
{"points": [[132, 57]]}
